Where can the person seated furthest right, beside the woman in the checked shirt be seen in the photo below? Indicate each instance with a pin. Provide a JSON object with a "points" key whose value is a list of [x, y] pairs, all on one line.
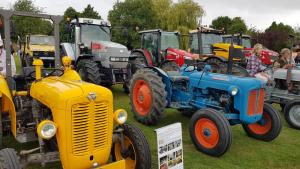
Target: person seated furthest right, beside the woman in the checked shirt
{"points": [[284, 61]]}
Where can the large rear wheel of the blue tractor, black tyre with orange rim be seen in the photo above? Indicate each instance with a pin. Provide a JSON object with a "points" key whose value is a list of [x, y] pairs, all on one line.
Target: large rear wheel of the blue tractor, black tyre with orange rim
{"points": [[147, 96]]}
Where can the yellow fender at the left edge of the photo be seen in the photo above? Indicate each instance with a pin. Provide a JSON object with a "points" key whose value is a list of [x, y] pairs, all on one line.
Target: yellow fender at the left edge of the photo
{"points": [[8, 104]]}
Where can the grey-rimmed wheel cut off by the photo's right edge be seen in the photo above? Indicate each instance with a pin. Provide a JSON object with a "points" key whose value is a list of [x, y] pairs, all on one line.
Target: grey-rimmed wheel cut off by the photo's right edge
{"points": [[292, 114]]}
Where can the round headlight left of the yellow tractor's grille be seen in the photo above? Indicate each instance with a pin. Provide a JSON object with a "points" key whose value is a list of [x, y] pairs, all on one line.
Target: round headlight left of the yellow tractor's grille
{"points": [[46, 129]]}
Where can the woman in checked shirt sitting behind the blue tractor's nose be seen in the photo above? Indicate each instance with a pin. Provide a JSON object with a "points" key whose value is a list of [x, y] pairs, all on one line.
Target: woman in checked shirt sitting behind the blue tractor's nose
{"points": [[254, 64]]}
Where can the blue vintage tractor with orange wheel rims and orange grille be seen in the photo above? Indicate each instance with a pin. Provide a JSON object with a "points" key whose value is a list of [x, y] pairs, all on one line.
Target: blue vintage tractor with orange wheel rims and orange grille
{"points": [[215, 101]]}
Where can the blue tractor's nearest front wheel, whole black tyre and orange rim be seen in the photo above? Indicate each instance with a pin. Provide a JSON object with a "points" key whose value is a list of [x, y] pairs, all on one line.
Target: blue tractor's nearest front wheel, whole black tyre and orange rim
{"points": [[210, 132]]}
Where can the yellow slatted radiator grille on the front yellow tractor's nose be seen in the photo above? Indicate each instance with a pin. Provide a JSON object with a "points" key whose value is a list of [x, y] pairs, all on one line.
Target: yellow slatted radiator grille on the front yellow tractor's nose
{"points": [[89, 127]]}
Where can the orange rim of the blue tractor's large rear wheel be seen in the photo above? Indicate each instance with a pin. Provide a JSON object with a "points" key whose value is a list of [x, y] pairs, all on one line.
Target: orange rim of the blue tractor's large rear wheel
{"points": [[142, 98]]}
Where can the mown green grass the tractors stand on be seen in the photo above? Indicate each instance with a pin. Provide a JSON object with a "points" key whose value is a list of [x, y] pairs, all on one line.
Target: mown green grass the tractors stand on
{"points": [[245, 152]]}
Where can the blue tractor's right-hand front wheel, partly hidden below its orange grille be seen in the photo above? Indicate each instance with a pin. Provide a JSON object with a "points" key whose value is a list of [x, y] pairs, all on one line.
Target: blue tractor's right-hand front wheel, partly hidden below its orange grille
{"points": [[268, 128]]}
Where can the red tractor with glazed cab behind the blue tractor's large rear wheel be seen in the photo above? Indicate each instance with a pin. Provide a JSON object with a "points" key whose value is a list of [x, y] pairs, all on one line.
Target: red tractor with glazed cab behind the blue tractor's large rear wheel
{"points": [[160, 49]]}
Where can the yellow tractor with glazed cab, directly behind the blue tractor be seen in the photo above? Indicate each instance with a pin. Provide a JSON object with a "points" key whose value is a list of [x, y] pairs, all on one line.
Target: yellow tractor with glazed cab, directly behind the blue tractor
{"points": [[207, 44]]}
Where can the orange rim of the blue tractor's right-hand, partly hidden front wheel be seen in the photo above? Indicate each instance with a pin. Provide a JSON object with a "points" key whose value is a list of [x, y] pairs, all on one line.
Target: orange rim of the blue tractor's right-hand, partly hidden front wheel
{"points": [[262, 127]]}
